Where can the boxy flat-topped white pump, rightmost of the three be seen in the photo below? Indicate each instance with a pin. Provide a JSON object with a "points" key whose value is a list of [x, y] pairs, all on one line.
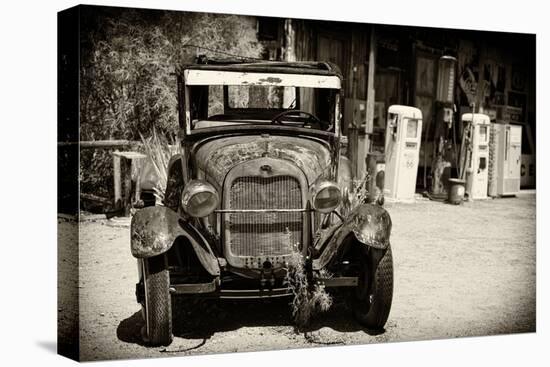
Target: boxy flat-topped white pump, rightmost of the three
{"points": [[508, 158]]}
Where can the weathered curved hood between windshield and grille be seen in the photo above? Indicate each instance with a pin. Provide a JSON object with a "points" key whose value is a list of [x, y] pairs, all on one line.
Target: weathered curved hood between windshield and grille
{"points": [[216, 158]]}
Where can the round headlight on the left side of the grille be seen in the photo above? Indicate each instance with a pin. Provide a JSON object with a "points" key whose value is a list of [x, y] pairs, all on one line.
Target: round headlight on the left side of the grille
{"points": [[199, 198]]}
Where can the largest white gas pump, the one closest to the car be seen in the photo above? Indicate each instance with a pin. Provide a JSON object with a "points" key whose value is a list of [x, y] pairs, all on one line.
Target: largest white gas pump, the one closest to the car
{"points": [[402, 150]]}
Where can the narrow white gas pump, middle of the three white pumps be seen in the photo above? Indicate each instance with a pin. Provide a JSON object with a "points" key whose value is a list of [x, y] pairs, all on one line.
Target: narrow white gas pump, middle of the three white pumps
{"points": [[477, 164]]}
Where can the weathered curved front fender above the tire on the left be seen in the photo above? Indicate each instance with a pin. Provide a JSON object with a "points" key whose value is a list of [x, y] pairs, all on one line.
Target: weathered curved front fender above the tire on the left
{"points": [[154, 230]]}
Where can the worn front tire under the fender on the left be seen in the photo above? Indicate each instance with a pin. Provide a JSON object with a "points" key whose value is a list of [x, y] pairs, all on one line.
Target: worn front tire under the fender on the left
{"points": [[158, 303]]}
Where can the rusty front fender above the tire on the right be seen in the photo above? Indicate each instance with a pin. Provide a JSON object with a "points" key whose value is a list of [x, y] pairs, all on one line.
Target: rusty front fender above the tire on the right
{"points": [[370, 224]]}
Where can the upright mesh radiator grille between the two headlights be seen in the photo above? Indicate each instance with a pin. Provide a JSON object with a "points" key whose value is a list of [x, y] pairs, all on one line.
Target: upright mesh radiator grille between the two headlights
{"points": [[269, 233]]}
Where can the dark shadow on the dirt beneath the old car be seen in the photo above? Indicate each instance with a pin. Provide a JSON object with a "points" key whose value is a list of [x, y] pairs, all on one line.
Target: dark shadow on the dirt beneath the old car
{"points": [[204, 318]]}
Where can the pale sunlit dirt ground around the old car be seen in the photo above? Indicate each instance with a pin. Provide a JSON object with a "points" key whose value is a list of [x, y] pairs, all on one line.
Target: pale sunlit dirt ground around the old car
{"points": [[460, 271]]}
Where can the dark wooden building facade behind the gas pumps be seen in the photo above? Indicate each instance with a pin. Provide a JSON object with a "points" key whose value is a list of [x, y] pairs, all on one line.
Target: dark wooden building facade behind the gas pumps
{"points": [[494, 74]]}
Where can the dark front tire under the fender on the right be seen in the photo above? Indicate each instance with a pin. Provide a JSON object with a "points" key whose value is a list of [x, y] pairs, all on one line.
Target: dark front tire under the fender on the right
{"points": [[372, 301]]}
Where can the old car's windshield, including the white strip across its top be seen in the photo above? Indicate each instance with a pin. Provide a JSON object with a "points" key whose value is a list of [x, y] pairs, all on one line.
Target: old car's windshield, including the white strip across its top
{"points": [[225, 99]]}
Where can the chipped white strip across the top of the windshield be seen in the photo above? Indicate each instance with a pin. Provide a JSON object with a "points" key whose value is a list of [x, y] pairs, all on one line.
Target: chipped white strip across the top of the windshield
{"points": [[216, 77]]}
